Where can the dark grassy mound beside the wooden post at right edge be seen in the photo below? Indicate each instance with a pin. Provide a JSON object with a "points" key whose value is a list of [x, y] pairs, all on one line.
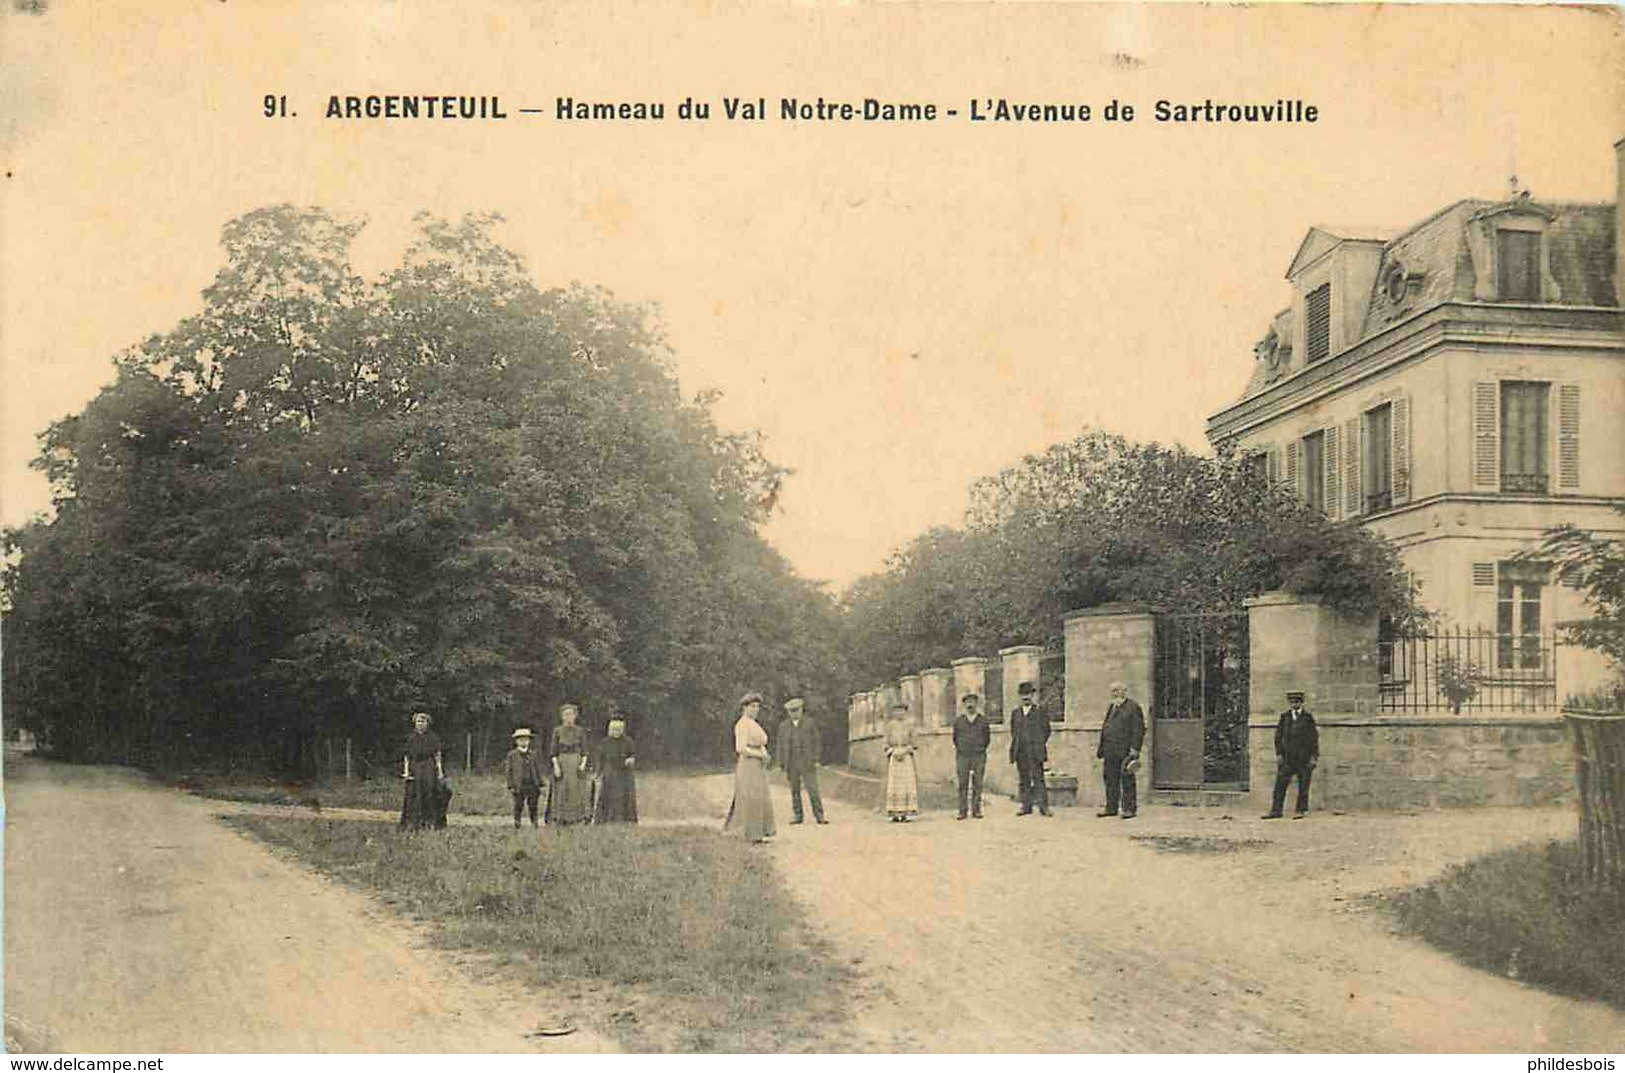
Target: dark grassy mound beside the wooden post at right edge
{"points": [[1527, 913]]}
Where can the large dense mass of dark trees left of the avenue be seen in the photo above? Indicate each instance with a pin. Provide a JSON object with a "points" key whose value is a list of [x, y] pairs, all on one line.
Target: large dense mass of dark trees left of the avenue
{"points": [[324, 502]]}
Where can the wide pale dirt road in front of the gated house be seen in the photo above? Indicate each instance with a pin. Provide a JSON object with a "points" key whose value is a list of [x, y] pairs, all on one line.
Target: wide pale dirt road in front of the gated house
{"points": [[1068, 934]]}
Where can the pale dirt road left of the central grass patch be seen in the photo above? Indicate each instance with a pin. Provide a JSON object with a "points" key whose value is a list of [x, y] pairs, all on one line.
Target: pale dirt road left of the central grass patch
{"points": [[136, 923]]}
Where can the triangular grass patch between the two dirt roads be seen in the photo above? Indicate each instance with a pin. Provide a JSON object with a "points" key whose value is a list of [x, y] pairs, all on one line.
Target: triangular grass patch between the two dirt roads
{"points": [[703, 944]]}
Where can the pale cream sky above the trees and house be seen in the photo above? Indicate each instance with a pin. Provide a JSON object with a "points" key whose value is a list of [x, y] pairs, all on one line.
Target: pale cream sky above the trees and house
{"points": [[899, 308]]}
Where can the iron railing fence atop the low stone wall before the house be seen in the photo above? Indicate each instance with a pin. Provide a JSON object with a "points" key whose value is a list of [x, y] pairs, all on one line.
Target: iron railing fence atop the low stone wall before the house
{"points": [[1468, 672]]}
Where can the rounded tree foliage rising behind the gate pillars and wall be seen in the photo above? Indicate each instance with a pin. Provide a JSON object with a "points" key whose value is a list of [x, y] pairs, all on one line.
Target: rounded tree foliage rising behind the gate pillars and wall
{"points": [[1101, 519]]}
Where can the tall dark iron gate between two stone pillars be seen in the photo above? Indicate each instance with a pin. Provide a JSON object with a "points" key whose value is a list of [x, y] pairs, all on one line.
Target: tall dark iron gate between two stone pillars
{"points": [[1202, 702]]}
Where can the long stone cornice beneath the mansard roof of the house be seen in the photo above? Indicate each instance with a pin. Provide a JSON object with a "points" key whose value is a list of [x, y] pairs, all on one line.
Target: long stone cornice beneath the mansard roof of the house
{"points": [[1470, 324]]}
